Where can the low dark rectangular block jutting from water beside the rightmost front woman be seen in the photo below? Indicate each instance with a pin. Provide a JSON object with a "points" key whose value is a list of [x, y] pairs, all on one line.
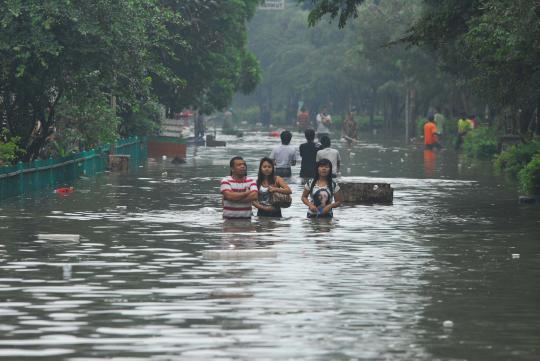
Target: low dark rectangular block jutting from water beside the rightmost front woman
{"points": [[367, 193]]}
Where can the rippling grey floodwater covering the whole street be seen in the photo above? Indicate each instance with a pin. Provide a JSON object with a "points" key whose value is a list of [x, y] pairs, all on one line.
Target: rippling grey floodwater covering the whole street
{"points": [[376, 283]]}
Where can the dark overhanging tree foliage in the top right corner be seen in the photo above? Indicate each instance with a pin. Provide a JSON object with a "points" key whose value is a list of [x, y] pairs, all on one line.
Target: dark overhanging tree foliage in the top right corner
{"points": [[489, 49]]}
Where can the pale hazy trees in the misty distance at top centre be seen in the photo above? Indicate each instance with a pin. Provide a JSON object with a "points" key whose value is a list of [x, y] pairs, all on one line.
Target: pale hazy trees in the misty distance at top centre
{"points": [[350, 68]]}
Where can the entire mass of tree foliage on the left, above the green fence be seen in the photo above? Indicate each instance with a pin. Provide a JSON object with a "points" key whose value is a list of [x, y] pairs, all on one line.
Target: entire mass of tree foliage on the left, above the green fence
{"points": [[92, 70]]}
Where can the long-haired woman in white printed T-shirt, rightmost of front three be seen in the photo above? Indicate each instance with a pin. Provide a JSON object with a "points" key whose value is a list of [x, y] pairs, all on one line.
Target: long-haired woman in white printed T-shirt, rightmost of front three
{"points": [[322, 194]]}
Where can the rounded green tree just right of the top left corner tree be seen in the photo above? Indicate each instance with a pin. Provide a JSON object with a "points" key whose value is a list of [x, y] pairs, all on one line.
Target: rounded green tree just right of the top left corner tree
{"points": [[211, 62]]}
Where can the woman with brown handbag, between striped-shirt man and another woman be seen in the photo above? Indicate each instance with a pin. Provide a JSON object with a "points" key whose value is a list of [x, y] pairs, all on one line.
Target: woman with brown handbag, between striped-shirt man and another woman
{"points": [[268, 183]]}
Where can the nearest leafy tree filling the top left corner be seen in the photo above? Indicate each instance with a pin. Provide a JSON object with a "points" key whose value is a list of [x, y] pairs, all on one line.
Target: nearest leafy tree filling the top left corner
{"points": [[53, 49]]}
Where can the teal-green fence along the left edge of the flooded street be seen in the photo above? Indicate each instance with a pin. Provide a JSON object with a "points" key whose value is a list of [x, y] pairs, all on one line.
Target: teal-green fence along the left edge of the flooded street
{"points": [[39, 174]]}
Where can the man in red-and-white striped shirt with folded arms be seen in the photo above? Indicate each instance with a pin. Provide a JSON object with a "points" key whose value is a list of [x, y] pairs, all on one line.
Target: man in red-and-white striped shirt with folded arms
{"points": [[238, 191]]}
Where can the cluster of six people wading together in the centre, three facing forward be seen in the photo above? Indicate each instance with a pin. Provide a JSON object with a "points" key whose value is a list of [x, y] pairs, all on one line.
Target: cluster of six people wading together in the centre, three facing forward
{"points": [[320, 164]]}
